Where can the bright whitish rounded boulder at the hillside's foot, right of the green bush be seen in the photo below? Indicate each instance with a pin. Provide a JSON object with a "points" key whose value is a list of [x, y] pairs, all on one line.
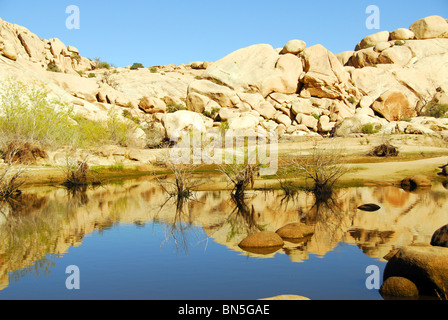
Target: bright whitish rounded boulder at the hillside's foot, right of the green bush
{"points": [[180, 122]]}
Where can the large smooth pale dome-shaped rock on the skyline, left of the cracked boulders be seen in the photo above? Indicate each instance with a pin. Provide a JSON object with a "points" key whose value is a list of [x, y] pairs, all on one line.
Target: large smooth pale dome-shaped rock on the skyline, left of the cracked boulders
{"points": [[245, 69]]}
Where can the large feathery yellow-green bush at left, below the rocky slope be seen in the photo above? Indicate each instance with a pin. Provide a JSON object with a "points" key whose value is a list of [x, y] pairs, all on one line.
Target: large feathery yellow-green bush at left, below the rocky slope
{"points": [[29, 115]]}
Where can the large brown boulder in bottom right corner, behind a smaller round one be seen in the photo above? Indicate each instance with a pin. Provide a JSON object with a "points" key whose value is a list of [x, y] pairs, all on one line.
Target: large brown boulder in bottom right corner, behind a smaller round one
{"points": [[425, 266]]}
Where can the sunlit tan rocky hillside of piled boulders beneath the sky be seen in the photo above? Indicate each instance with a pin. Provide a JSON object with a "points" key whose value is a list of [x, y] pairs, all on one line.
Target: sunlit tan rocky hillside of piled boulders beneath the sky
{"points": [[388, 83]]}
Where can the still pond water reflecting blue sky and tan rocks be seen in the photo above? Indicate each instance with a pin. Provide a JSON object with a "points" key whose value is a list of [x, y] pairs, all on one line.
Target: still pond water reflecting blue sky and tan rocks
{"points": [[130, 241]]}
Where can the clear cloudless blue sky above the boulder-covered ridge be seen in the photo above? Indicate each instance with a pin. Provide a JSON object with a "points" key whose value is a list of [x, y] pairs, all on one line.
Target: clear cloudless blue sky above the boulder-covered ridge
{"points": [[181, 31]]}
